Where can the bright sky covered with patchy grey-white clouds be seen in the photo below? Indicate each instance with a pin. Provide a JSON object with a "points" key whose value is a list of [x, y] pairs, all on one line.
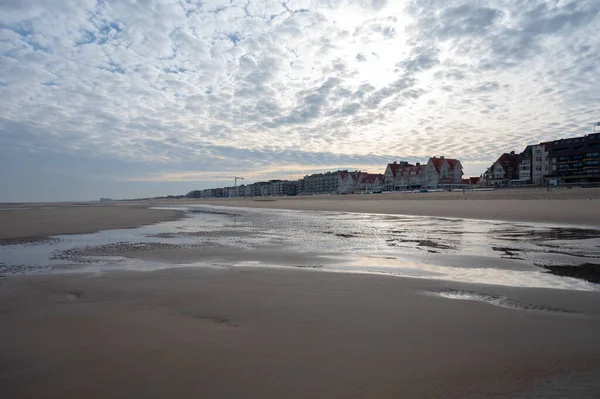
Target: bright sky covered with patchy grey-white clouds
{"points": [[129, 99]]}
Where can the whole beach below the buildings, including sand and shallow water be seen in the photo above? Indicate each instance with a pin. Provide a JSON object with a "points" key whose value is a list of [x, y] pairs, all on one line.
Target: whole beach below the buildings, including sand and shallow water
{"points": [[474, 319]]}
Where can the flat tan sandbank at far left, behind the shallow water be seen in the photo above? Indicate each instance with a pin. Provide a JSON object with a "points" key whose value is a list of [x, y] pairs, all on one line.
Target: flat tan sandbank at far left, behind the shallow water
{"points": [[34, 222]]}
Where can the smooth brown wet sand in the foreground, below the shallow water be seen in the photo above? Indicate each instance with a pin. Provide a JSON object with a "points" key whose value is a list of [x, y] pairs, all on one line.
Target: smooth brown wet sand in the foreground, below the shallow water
{"points": [[259, 333]]}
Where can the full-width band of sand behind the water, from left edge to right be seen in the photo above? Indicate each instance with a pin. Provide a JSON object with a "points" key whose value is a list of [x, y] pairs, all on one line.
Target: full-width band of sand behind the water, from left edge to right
{"points": [[30, 223]]}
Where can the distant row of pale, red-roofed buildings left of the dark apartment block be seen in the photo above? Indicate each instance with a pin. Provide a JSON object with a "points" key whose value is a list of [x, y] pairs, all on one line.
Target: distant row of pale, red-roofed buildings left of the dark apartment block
{"points": [[436, 173]]}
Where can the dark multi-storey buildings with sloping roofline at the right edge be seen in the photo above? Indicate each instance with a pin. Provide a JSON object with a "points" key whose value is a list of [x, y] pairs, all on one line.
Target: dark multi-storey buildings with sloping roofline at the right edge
{"points": [[558, 162]]}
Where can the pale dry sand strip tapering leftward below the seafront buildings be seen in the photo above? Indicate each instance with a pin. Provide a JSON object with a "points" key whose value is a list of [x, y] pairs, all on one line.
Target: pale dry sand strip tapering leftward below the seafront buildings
{"points": [[565, 206]]}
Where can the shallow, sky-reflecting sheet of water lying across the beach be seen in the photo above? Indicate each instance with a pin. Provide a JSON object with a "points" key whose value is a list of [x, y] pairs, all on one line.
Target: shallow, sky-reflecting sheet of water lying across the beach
{"points": [[462, 250]]}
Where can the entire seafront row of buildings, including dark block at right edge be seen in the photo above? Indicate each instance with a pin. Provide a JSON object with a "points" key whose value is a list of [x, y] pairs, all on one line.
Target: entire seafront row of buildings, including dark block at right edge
{"points": [[558, 162]]}
